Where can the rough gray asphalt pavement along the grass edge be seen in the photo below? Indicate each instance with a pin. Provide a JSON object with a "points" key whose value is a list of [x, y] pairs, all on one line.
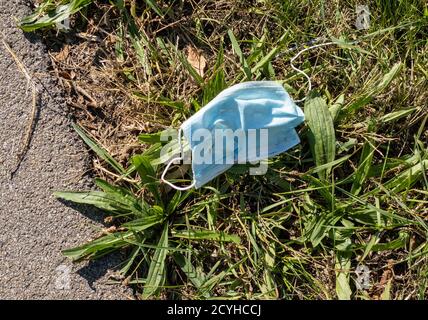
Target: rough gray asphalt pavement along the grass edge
{"points": [[34, 226]]}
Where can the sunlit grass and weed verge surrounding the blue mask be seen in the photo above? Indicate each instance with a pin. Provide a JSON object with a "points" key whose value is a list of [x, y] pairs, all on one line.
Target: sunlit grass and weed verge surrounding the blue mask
{"points": [[354, 192]]}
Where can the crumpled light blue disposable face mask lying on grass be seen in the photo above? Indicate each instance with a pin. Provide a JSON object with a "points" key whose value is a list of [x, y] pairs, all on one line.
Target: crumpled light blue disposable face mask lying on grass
{"points": [[247, 122]]}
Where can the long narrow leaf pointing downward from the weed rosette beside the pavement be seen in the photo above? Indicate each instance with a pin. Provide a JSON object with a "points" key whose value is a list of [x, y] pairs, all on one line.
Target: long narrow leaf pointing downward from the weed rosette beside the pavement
{"points": [[156, 275]]}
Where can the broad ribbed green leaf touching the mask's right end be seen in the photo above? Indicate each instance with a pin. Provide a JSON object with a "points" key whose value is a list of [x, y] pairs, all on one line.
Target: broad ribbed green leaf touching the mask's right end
{"points": [[321, 134]]}
